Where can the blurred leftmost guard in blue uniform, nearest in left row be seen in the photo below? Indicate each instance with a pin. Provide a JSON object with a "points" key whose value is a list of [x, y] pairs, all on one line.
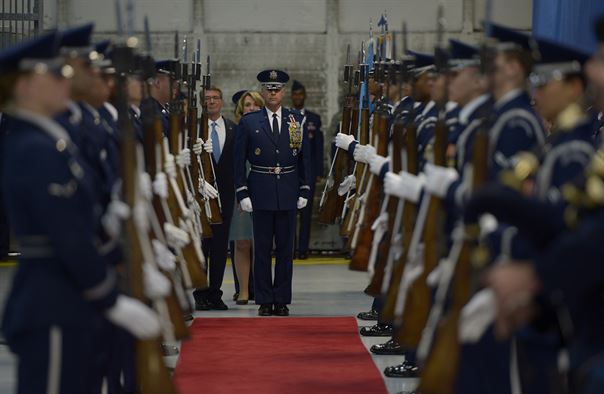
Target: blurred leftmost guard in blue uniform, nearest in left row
{"points": [[52, 206]]}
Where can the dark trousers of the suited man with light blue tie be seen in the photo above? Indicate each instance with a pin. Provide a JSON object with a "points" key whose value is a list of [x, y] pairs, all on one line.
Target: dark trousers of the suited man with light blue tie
{"points": [[216, 250]]}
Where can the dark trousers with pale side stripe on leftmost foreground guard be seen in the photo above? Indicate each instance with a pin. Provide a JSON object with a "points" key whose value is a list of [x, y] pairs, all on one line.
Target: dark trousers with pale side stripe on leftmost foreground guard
{"points": [[57, 360]]}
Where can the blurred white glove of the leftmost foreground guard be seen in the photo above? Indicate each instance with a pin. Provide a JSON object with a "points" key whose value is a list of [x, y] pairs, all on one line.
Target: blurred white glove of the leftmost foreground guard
{"points": [[135, 317]]}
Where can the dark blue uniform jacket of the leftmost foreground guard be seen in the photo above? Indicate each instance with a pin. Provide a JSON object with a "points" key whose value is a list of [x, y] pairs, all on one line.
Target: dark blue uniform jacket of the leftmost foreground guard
{"points": [[61, 278]]}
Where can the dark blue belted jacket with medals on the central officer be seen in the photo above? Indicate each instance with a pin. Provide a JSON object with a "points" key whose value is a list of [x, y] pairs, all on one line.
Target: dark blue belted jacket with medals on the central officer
{"points": [[255, 143]]}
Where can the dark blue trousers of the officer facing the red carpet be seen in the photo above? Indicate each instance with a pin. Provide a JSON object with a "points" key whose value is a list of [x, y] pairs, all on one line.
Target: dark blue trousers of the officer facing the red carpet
{"points": [[280, 226]]}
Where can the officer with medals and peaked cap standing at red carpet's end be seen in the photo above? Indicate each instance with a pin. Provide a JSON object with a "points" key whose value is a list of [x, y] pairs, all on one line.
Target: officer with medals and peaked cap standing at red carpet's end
{"points": [[275, 143]]}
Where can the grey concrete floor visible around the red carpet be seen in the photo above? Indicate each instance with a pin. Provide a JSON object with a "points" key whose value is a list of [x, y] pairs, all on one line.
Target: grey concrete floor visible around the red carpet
{"points": [[322, 287]]}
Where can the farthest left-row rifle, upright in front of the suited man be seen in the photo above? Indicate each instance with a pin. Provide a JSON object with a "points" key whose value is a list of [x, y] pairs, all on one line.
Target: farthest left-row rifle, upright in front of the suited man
{"points": [[207, 163]]}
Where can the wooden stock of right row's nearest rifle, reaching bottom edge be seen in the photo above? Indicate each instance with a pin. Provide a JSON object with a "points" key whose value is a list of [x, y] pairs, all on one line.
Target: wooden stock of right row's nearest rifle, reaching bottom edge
{"points": [[440, 369]]}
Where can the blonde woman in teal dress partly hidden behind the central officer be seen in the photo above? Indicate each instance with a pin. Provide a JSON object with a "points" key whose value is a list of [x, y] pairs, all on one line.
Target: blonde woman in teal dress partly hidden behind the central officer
{"points": [[241, 224]]}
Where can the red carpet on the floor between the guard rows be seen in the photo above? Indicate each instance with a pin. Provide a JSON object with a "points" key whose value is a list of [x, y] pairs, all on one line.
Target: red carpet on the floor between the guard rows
{"points": [[276, 356]]}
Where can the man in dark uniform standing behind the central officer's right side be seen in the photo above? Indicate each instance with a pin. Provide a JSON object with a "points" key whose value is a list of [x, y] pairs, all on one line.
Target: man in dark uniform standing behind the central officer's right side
{"points": [[315, 139]]}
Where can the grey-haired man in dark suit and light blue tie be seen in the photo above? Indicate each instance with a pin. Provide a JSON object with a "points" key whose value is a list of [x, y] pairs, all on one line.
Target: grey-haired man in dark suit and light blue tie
{"points": [[221, 145]]}
